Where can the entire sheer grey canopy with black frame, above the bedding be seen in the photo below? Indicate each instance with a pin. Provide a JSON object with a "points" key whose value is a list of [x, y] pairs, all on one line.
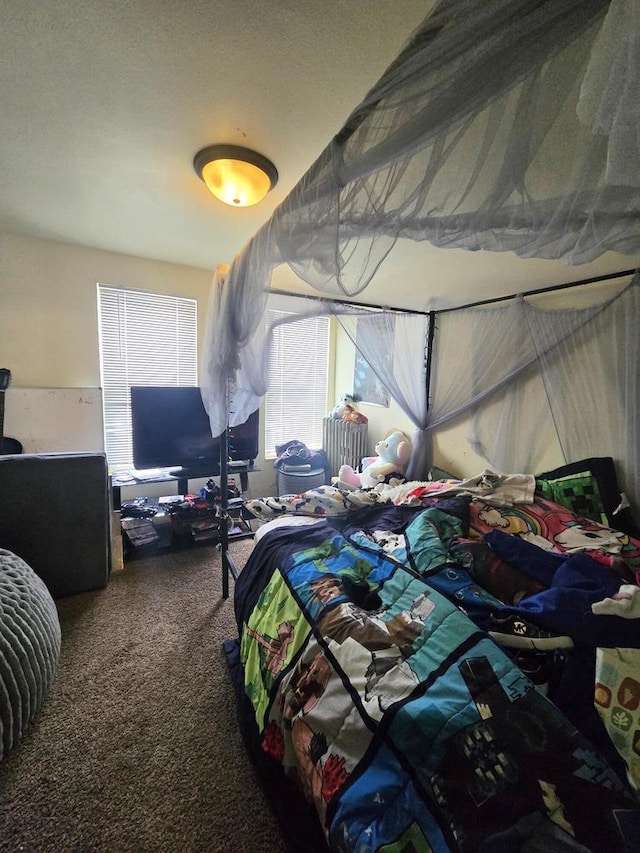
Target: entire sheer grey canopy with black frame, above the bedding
{"points": [[465, 144]]}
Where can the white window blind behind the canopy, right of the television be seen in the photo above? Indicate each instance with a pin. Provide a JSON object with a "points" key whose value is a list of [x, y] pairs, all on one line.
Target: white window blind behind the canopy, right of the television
{"points": [[296, 400]]}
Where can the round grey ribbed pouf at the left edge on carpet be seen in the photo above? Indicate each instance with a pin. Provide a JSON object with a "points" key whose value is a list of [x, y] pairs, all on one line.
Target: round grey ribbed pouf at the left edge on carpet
{"points": [[29, 647]]}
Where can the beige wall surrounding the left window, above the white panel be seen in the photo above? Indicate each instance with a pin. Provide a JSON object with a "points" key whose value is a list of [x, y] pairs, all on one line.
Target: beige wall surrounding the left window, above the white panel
{"points": [[49, 320]]}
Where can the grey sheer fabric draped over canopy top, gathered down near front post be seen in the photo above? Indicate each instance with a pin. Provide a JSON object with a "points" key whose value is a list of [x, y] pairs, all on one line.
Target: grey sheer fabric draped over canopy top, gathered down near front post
{"points": [[501, 126]]}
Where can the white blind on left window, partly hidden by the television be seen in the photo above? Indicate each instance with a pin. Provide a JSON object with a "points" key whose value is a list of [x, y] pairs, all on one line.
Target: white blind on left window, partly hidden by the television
{"points": [[145, 339]]}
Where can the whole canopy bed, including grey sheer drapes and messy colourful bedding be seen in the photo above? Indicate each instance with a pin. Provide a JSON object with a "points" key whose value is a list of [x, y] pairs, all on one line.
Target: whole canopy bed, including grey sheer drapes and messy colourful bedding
{"points": [[454, 665]]}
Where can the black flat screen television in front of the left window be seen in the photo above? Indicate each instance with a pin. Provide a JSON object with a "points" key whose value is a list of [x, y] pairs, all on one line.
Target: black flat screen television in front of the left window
{"points": [[170, 429]]}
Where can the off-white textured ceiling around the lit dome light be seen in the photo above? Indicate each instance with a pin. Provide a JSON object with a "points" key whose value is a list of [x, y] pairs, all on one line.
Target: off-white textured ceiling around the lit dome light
{"points": [[105, 102]]}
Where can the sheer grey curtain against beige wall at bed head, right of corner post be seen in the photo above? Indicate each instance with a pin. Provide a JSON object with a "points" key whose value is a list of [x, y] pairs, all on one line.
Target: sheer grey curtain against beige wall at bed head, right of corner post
{"points": [[524, 372]]}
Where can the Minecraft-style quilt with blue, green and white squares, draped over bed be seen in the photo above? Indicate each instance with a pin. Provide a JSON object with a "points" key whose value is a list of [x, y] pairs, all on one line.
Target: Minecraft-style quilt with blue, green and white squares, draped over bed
{"points": [[393, 713]]}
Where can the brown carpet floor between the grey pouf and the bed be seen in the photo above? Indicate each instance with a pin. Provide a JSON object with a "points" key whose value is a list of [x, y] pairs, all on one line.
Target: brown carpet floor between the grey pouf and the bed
{"points": [[137, 747]]}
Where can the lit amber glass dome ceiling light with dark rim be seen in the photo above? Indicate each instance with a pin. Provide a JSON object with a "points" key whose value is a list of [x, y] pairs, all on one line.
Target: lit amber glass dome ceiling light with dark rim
{"points": [[235, 175]]}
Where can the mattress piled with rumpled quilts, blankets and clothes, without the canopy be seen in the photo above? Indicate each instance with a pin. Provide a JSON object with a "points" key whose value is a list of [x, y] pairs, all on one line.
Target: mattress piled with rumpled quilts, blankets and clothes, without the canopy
{"points": [[390, 694]]}
